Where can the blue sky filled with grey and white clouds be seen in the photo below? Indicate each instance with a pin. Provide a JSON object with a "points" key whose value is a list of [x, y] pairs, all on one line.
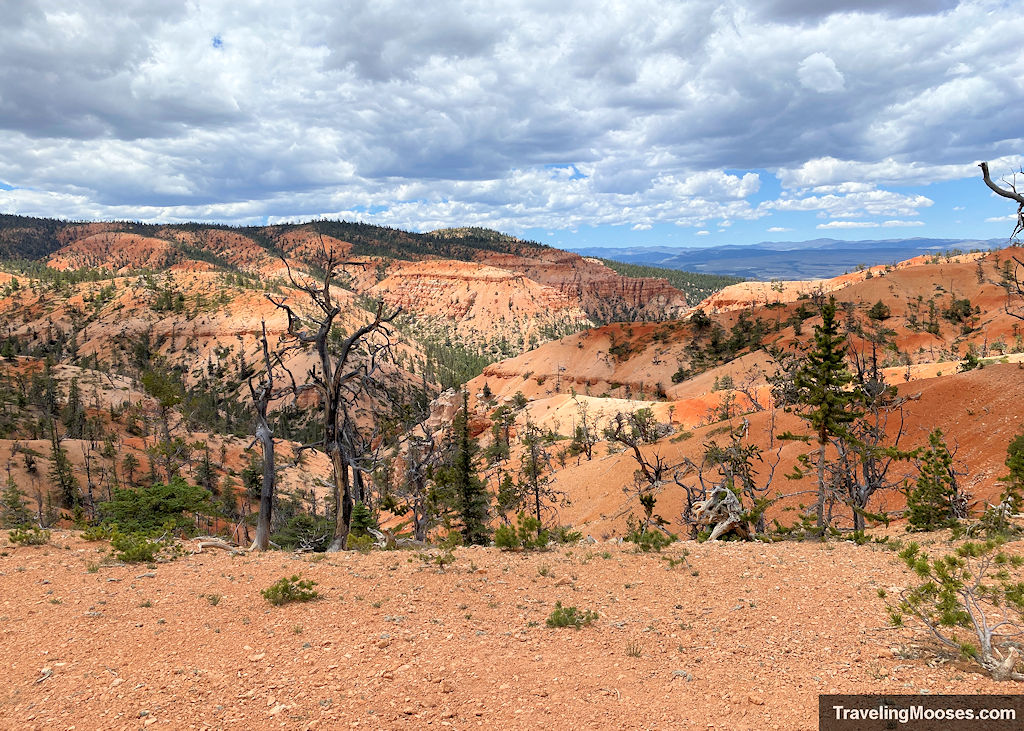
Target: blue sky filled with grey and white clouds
{"points": [[633, 123]]}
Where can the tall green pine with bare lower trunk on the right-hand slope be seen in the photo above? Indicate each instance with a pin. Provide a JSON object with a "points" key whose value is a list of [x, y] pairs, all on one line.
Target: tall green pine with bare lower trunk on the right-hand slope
{"points": [[821, 384]]}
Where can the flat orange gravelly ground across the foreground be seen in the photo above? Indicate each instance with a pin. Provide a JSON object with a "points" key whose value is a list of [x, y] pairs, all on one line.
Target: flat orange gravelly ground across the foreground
{"points": [[739, 636]]}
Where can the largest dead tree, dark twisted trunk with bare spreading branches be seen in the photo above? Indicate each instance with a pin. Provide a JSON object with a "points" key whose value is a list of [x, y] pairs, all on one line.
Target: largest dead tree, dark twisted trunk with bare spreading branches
{"points": [[339, 375]]}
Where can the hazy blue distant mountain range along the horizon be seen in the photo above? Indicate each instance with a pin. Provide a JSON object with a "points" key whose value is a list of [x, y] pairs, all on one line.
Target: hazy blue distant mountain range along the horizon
{"points": [[788, 261]]}
